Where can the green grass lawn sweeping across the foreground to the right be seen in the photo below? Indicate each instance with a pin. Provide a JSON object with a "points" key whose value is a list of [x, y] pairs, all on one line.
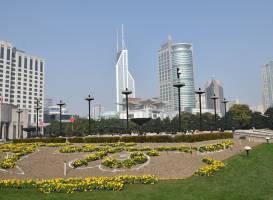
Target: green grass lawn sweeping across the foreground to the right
{"points": [[243, 178]]}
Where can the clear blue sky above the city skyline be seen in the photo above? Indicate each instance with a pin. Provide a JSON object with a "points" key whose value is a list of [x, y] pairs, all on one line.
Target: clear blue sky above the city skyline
{"points": [[231, 41]]}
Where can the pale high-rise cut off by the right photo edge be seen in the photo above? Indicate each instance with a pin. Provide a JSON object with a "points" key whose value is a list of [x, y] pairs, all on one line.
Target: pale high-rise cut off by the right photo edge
{"points": [[267, 79]]}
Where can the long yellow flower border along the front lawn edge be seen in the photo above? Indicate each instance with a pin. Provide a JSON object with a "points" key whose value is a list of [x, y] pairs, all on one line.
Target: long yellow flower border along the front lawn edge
{"points": [[72, 185]]}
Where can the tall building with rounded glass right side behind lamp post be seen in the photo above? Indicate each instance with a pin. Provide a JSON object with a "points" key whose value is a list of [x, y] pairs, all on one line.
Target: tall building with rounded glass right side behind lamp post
{"points": [[170, 57]]}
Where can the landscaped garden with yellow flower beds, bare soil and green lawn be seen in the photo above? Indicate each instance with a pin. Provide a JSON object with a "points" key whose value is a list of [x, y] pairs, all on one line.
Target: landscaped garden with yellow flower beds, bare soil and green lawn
{"points": [[210, 169]]}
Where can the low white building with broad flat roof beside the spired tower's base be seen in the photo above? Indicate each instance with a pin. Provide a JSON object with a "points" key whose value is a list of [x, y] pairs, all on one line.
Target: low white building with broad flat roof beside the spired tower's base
{"points": [[144, 108]]}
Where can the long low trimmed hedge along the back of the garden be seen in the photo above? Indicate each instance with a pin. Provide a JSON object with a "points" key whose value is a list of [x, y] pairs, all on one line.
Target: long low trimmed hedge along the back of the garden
{"points": [[137, 139]]}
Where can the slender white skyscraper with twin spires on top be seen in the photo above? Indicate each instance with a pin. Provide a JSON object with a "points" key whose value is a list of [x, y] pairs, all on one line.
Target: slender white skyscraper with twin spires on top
{"points": [[124, 79]]}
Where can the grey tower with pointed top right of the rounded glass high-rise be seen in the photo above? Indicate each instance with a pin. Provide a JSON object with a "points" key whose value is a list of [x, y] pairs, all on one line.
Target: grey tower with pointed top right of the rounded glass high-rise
{"points": [[214, 87]]}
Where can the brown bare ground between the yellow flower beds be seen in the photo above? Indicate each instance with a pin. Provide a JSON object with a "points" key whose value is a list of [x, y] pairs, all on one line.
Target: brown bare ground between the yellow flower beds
{"points": [[44, 163]]}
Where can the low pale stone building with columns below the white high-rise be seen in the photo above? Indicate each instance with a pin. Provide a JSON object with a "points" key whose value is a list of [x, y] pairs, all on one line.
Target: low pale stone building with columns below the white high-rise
{"points": [[9, 122]]}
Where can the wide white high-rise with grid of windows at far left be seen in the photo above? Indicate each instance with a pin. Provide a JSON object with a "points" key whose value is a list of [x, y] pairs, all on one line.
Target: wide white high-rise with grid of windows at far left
{"points": [[22, 80]]}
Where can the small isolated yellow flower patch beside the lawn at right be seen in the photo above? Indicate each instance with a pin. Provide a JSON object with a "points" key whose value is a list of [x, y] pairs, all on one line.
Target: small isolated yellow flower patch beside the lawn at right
{"points": [[212, 167]]}
